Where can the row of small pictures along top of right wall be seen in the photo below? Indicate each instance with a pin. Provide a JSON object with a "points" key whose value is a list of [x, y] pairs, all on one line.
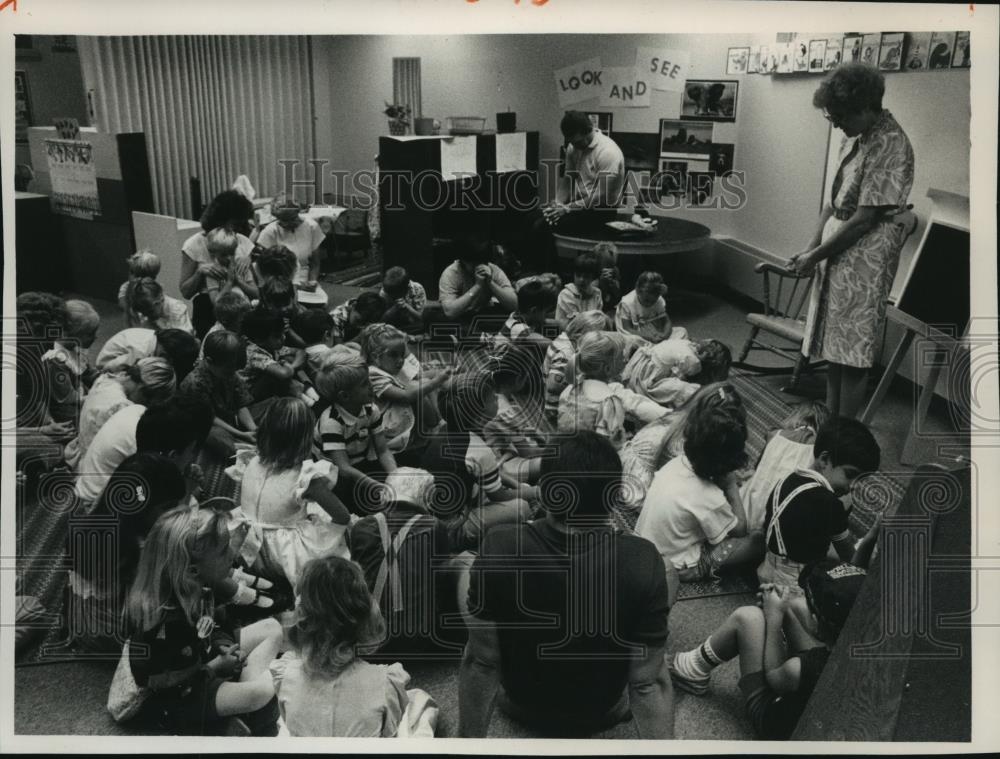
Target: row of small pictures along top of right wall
{"points": [[889, 51]]}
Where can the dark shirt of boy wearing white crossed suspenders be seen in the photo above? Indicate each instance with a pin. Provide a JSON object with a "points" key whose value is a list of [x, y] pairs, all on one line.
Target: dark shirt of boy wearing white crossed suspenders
{"points": [[813, 519]]}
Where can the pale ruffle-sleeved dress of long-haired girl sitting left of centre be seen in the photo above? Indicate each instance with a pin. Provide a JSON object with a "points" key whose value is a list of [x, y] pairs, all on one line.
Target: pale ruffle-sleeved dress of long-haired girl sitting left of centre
{"points": [[275, 529]]}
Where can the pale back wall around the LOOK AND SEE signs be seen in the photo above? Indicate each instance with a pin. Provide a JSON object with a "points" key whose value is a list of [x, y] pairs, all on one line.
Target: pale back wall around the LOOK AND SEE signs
{"points": [[781, 140]]}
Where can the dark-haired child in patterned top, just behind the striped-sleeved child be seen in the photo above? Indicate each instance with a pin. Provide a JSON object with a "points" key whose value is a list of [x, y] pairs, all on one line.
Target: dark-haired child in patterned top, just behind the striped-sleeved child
{"points": [[513, 432]]}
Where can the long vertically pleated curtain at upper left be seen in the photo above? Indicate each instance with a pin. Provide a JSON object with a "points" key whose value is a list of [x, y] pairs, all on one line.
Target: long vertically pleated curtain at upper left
{"points": [[211, 107]]}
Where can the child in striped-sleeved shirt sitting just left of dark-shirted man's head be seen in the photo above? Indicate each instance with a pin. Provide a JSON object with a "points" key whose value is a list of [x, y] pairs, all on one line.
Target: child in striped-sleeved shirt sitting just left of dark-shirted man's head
{"points": [[465, 468]]}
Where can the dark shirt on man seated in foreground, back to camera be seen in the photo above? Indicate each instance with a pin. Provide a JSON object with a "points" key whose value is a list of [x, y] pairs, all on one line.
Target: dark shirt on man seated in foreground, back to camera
{"points": [[572, 612]]}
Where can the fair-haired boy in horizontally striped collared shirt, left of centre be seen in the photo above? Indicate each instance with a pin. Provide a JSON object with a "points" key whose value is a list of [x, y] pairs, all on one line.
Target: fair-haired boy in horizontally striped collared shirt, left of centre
{"points": [[350, 431]]}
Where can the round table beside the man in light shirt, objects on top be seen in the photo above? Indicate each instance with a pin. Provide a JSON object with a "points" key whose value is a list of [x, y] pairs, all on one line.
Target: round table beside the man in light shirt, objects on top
{"points": [[638, 251]]}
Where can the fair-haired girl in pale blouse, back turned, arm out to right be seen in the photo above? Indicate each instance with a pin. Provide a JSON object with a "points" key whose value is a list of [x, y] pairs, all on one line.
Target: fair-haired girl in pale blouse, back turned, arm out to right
{"points": [[597, 400]]}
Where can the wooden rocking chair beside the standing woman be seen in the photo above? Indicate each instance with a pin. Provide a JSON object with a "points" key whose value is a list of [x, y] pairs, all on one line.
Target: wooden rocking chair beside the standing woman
{"points": [[785, 297]]}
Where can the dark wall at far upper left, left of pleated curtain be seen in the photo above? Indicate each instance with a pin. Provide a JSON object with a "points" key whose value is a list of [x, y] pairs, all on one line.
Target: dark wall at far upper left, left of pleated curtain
{"points": [[55, 87]]}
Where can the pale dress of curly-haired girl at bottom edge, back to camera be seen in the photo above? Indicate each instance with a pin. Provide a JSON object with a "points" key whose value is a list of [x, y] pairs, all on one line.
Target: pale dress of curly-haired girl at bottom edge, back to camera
{"points": [[362, 701]]}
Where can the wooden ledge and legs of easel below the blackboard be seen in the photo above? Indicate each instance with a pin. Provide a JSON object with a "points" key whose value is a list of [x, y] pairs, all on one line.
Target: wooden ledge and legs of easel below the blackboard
{"points": [[944, 345]]}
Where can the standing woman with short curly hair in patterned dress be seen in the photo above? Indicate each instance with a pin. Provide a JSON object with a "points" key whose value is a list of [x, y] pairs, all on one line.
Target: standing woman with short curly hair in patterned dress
{"points": [[855, 250]]}
